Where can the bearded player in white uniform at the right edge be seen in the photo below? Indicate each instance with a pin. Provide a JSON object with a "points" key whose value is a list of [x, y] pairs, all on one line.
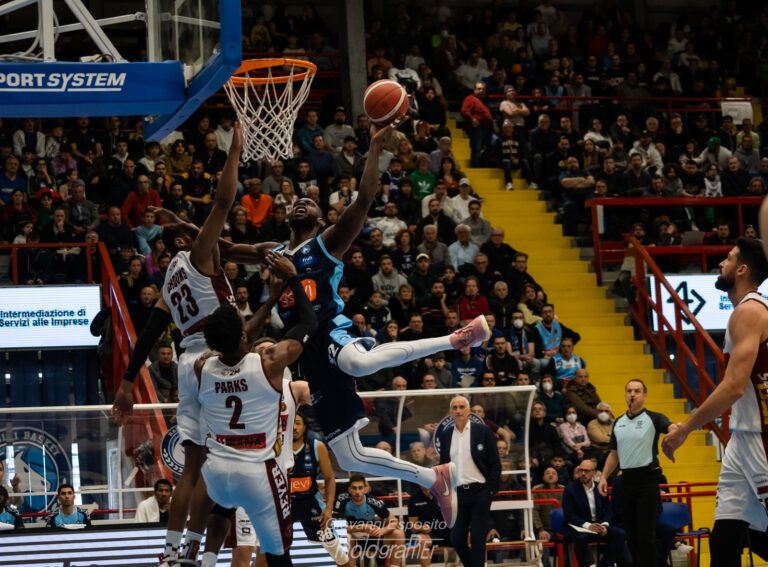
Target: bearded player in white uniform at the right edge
{"points": [[742, 491]]}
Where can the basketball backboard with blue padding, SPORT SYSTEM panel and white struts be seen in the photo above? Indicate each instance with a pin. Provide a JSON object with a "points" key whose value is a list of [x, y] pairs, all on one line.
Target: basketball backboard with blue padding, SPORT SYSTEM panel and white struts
{"points": [[193, 47]]}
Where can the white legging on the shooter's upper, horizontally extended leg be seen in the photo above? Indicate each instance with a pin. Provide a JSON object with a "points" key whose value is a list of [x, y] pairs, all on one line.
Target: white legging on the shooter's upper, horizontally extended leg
{"points": [[356, 361]]}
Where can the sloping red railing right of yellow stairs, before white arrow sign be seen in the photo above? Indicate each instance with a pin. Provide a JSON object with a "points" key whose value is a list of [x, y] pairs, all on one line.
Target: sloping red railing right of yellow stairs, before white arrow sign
{"points": [[645, 305]]}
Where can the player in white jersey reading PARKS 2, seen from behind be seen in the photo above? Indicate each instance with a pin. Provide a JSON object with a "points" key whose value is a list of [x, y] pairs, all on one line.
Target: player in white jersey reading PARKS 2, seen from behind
{"points": [[241, 395]]}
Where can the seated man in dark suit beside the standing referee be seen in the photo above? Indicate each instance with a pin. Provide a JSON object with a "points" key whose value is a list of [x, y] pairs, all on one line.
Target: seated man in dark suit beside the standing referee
{"points": [[584, 507]]}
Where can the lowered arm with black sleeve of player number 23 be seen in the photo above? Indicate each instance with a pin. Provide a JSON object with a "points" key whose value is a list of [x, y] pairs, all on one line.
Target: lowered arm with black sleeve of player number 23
{"points": [[158, 321]]}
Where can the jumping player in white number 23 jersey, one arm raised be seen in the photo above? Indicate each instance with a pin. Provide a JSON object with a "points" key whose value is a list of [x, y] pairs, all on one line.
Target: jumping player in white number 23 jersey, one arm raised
{"points": [[194, 286]]}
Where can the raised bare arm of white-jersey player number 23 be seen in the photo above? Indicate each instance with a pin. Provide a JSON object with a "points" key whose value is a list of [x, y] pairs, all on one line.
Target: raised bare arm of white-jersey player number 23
{"points": [[205, 250]]}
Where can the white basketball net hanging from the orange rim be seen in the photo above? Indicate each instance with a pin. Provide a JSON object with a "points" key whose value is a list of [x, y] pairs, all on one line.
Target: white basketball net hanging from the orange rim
{"points": [[267, 112]]}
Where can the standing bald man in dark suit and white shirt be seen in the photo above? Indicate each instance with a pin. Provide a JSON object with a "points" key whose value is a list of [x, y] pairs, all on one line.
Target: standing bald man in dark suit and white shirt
{"points": [[471, 447]]}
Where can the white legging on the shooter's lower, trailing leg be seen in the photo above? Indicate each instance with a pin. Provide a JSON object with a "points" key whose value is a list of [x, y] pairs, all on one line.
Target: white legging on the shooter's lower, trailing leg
{"points": [[352, 456]]}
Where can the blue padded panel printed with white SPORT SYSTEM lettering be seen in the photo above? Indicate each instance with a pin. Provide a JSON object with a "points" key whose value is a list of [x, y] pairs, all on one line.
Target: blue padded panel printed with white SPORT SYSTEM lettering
{"points": [[92, 89]]}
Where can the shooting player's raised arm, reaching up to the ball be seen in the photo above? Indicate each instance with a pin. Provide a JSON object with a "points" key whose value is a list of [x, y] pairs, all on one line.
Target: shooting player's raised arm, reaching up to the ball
{"points": [[339, 237]]}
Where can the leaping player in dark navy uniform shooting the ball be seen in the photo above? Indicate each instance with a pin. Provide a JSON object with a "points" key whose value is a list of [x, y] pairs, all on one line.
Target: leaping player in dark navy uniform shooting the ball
{"points": [[333, 358]]}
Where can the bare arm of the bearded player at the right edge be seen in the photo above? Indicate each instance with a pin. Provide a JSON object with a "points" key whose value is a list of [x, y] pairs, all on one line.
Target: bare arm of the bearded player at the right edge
{"points": [[745, 327]]}
